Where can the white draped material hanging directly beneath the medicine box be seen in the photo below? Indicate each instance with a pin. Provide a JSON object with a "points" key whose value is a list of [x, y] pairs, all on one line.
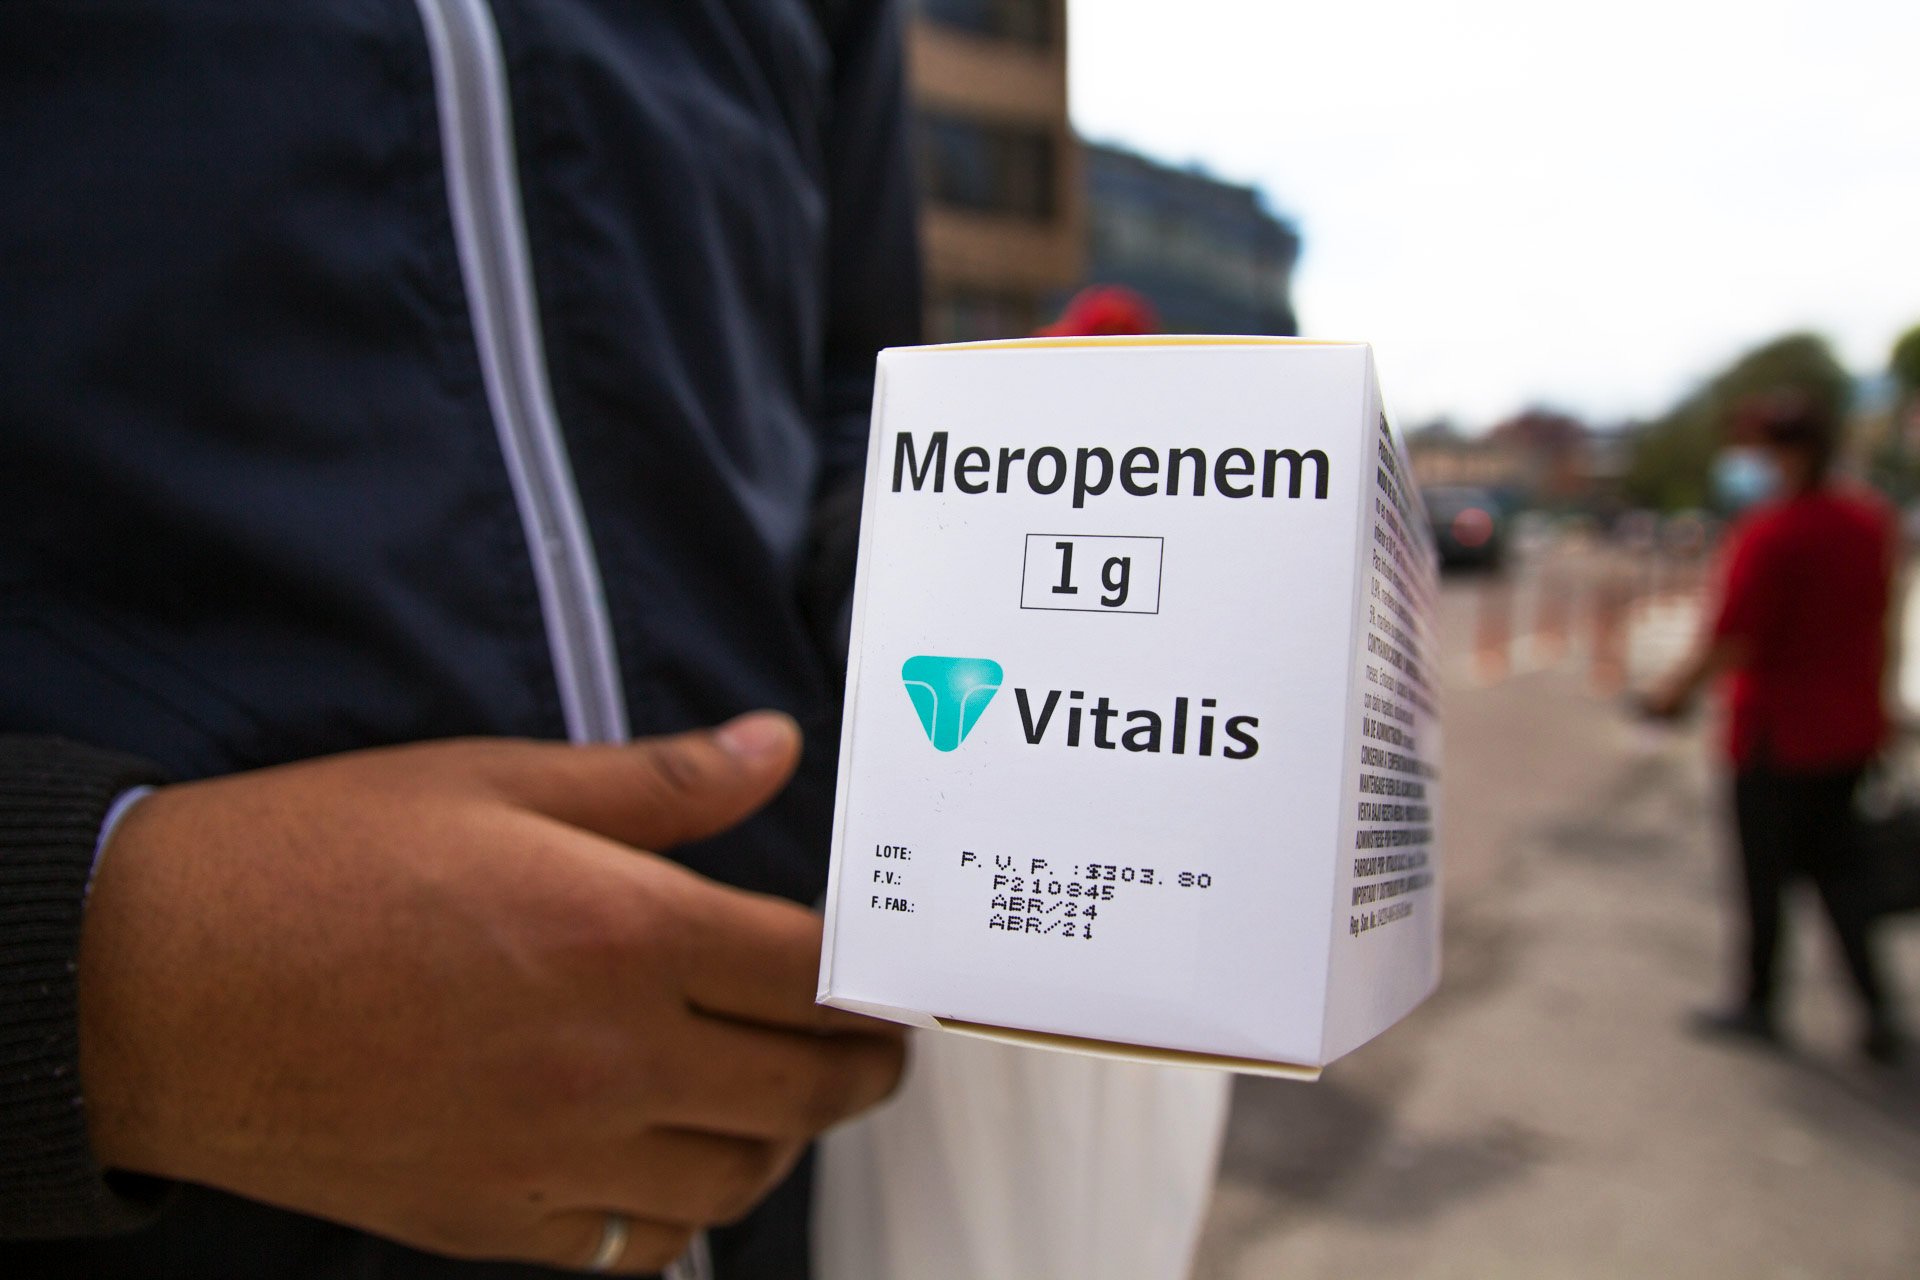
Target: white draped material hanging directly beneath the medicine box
{"points": [[999, 1162]]}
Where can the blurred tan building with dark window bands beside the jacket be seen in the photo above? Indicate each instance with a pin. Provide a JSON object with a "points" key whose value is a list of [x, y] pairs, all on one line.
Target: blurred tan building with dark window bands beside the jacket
{"points": [[1003, 216]]}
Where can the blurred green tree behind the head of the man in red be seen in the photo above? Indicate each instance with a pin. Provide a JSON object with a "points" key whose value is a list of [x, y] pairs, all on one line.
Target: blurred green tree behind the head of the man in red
{"points": [[1673, 458]]}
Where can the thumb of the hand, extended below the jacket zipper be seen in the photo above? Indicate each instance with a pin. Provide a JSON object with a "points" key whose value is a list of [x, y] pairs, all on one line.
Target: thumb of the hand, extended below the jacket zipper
{"points": [[661, 792]]}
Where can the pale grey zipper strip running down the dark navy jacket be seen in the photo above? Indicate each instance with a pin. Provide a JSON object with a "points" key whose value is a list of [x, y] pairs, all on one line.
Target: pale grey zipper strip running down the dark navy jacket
{"points": [[485, 197]]}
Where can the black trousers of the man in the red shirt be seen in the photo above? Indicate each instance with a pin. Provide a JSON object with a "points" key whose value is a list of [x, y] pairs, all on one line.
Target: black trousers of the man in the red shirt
{"points": [[1802, 826]]}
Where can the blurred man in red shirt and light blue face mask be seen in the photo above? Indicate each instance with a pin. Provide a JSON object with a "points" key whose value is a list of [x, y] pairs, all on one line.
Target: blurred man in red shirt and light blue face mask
{"points": [[1800, 628]]}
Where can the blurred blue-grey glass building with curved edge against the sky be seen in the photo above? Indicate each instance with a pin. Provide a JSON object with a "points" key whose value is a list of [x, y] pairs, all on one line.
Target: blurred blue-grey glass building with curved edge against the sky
{"points": [[1207, 254]]}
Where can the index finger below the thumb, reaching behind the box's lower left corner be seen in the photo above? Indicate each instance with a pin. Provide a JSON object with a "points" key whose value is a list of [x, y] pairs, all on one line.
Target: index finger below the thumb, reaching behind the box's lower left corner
{"points": [[757, 960]]}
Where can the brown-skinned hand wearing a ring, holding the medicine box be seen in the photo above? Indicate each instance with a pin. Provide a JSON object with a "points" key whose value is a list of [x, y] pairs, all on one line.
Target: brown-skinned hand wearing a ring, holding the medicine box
{"points": [[444, 995]]}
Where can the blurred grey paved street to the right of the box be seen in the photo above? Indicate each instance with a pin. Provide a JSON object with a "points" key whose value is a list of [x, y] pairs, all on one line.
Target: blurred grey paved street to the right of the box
{"points": [[1548, 1114]]}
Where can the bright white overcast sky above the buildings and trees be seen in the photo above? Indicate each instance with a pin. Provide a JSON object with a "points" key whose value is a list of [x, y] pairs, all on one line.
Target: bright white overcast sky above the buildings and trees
{"points": [[1527, 202]]}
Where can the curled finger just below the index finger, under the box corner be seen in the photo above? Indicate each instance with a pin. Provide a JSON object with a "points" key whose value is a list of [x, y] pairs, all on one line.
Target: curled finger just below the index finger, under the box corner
{"points": [[780, 1085]]}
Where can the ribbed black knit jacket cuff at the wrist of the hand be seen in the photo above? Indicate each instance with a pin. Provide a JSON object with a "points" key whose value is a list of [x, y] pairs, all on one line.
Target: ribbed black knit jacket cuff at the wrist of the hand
{"points": [[53, 801]]}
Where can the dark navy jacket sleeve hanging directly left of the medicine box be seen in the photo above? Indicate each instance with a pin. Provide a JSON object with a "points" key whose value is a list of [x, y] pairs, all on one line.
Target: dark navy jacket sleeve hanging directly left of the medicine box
{"points": [[873, 281]]}
